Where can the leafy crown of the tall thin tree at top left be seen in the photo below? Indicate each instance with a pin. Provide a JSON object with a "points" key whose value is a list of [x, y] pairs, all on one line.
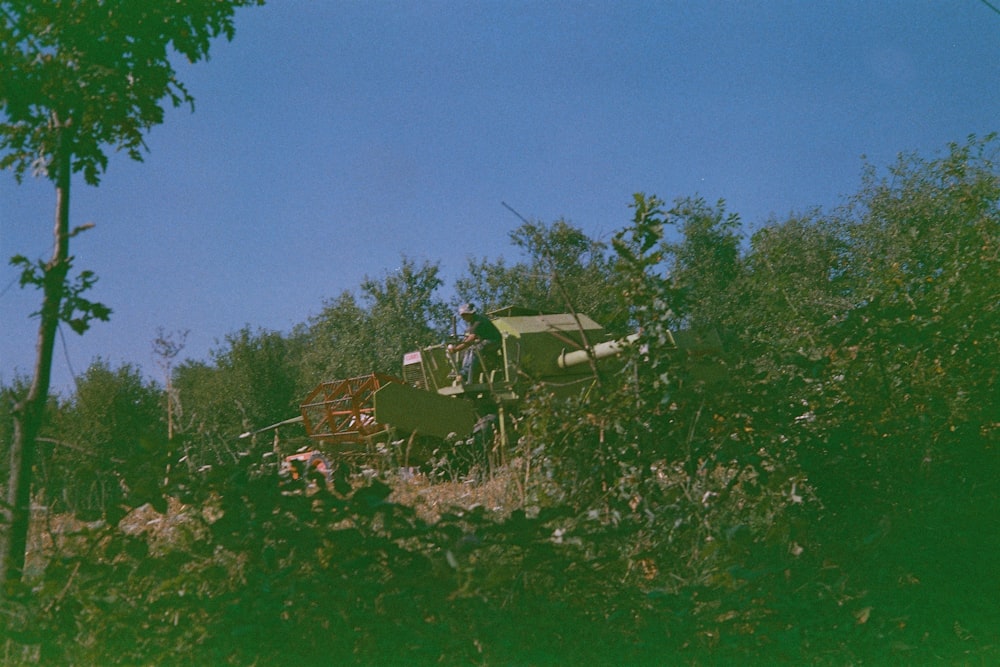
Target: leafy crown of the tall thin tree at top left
{"points": [[80, 77]]}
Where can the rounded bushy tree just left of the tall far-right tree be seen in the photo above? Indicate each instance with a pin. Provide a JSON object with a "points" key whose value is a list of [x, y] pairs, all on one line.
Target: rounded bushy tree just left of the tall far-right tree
{"points": [[779, 315]]}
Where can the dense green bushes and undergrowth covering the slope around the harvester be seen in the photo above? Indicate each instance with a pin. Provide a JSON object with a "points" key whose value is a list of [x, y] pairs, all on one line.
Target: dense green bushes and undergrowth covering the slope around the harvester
{"points": [[821, 492]]}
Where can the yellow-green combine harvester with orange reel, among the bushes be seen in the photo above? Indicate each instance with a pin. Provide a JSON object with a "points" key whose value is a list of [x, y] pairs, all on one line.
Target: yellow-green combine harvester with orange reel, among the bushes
{"points": [[561, 352]]}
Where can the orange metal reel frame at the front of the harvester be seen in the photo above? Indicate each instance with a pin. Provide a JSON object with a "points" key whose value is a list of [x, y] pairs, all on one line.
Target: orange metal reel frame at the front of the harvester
{"points": [[343, 411]]}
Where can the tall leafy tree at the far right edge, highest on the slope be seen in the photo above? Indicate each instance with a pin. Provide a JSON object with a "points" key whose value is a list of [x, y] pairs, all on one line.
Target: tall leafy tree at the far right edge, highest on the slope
{"points": [[921, 341]]}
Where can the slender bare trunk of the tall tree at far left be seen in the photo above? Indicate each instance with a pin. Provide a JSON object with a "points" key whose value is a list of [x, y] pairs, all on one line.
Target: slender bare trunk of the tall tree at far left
{"points": [[30, 412]]}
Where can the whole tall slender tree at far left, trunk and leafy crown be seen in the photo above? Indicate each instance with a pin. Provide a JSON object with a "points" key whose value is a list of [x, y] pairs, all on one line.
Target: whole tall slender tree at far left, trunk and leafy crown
{"points": [[80, 78]]}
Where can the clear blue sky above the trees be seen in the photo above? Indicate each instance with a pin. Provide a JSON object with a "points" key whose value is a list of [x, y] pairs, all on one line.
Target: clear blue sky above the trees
{"points": [[331, 138]]}
